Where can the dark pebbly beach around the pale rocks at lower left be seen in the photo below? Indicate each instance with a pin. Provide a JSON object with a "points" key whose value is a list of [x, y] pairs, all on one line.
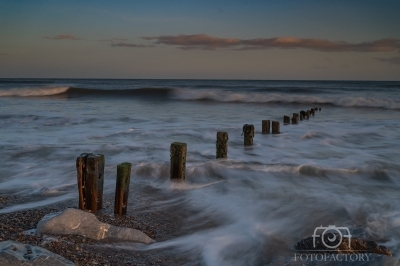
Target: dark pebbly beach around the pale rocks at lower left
{"points": [[159, 225]]}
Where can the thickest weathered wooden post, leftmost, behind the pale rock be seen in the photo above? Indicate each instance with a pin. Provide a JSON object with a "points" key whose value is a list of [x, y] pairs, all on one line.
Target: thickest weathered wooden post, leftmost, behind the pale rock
{"points": [[90, 168]]}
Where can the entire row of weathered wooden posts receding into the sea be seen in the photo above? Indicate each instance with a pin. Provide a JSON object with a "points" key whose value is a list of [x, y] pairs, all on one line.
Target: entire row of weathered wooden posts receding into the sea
{"points": [[90, 167]]}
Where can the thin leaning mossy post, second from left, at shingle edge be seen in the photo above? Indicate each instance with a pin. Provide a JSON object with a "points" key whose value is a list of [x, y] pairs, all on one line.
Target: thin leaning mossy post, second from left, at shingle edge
{"points": [[122, 188]]}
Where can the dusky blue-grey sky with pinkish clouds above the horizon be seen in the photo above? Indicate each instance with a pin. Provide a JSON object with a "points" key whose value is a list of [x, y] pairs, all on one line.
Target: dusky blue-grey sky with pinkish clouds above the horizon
{"points": [[158, 39]]}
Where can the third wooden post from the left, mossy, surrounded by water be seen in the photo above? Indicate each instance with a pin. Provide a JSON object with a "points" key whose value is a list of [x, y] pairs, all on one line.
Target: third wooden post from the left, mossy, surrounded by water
{"points": [[178, 161]]}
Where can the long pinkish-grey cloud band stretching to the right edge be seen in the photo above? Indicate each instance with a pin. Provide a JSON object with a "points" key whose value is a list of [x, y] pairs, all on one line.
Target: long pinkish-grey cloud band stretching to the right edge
{"points": [[206, 42]]}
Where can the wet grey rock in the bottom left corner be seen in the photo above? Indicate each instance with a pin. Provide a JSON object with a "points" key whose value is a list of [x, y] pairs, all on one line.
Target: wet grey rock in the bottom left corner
{"points": [[14, 253]]}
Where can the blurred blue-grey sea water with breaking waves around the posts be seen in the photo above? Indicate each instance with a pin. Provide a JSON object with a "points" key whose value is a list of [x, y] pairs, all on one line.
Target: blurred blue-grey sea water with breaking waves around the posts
{"points": [[341, 167]]}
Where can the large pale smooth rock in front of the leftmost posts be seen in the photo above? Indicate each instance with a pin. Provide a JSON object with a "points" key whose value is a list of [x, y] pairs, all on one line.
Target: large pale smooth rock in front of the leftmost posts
{"points": [[78, 222]]}
